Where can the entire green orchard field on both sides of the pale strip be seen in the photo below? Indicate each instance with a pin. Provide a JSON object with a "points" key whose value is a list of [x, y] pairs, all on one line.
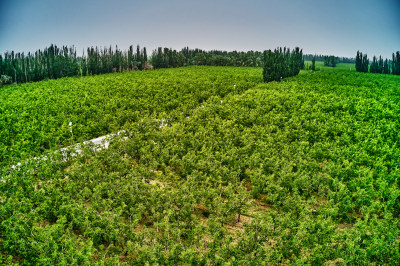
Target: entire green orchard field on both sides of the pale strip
{"points": [[303, 171]]}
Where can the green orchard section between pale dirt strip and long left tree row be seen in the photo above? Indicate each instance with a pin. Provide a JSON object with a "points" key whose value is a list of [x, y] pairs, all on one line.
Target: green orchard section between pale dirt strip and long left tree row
{"points": [[35, 116]]}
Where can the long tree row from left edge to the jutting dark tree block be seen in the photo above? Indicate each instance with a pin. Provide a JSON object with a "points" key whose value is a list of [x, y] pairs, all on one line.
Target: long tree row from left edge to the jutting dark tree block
{"points": [[57, 62]]}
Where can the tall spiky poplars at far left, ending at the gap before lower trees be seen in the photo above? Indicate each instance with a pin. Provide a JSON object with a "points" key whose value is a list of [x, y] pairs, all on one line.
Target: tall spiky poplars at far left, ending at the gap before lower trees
{"points": [[57, 62]]}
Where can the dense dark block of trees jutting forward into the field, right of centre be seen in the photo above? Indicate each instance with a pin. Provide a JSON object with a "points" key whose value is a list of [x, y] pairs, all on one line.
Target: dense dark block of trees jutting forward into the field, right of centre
{"points": [[282, 63]]}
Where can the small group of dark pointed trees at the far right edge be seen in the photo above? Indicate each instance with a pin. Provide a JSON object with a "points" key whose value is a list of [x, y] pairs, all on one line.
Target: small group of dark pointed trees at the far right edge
{"points": [[378, 65]]}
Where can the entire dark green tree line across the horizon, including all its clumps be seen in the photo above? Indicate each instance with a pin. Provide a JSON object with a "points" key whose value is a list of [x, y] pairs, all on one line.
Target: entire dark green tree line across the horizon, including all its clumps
{"points": [[57, 62]]}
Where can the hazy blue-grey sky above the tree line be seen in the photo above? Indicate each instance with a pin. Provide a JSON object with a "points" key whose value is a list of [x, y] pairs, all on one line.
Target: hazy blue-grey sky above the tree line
{"points": [[327, 27]]}
